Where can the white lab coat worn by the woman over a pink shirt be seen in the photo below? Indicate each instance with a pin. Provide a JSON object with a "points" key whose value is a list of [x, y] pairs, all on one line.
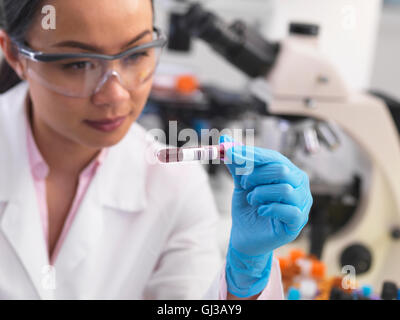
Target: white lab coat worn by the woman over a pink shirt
{"points": [[143, 230]]}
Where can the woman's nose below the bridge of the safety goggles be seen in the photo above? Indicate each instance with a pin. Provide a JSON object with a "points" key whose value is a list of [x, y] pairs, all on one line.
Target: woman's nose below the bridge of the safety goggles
{"points": [[110, 90]]}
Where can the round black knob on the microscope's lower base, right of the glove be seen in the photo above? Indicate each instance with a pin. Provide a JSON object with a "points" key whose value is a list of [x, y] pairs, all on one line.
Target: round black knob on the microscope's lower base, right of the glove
{"points": [[358, 256]]}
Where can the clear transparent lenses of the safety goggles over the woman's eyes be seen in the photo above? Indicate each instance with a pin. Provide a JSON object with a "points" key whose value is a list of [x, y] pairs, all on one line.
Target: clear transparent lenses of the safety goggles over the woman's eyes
{"points": [[81, 77]]}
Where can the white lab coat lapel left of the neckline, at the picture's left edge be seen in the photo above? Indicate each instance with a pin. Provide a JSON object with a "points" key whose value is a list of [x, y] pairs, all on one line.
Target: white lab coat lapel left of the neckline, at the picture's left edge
{"points": [[20, 223]]}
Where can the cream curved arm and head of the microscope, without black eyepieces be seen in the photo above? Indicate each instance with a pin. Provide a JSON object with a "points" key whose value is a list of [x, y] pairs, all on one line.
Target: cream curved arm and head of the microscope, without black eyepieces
{"points": [[304, 83]]}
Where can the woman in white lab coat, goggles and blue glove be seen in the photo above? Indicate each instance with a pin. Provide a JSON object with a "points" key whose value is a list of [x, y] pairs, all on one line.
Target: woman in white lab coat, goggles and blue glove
{"points": [[83, 214]]}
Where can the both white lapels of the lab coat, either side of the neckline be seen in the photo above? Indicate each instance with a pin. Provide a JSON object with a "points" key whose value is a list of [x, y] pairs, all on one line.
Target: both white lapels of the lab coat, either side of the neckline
{"points": [[119, 184]]}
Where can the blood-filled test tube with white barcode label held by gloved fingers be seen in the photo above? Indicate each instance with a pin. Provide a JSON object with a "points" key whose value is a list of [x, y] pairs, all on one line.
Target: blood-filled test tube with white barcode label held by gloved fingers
{"points": [[203, 153]]}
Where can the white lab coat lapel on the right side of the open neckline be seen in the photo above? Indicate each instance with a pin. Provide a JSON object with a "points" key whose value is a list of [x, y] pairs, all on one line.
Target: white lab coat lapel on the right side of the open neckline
{"points": [[118, 187]]}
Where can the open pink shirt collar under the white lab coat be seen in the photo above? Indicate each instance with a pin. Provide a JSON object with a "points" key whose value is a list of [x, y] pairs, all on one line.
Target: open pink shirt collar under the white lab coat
{"points": [[40, 172]]}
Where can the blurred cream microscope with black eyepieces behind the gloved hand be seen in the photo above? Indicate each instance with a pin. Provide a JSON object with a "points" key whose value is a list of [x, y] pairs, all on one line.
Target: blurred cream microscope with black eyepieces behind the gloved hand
{"points": [[354, 222]]}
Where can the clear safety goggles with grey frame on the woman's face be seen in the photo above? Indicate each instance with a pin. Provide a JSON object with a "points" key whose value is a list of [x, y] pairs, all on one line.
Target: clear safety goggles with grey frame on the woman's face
{"points": [[81, 75]]}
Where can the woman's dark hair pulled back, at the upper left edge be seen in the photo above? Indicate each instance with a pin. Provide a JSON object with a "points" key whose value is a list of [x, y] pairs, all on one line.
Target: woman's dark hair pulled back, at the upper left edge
{"points": [[16, 17]]}
